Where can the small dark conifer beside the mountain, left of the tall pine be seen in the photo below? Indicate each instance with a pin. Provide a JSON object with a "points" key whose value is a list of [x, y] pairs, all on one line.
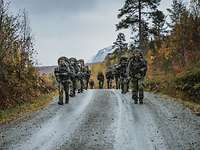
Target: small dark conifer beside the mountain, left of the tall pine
{"points": [[120, 42]]}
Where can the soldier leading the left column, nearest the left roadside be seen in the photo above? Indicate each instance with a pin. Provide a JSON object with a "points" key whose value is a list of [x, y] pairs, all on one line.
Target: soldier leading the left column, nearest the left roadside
{"points": [[62, 74]]}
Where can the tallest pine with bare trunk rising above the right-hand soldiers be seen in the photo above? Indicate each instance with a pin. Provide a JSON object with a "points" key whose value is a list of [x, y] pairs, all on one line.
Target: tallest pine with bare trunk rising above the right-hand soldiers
{"points": [[135, 14]]}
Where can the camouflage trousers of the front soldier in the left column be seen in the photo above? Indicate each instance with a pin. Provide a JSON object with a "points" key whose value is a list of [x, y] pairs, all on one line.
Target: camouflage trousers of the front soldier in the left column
{"points": [[63, 92]]}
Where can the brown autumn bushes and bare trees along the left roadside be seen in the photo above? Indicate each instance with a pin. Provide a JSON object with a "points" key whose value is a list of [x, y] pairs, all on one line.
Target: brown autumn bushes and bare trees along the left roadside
{"points": [[20, 82]]}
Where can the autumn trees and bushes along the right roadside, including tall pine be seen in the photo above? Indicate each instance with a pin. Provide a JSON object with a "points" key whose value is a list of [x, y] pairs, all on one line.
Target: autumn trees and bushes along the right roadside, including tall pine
{"points": [[171, 46]]}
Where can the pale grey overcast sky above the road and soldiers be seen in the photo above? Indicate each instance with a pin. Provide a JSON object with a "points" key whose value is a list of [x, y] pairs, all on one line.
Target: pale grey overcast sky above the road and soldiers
{"points": [[71, 28]]}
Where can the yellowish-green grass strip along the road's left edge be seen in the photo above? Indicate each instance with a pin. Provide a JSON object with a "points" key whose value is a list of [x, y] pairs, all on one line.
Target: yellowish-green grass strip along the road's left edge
{"points": [[20, 110]]}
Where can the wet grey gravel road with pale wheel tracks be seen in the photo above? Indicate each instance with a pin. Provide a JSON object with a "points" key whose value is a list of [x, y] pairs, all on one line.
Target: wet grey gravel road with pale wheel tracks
{"points": [[105, 120]]}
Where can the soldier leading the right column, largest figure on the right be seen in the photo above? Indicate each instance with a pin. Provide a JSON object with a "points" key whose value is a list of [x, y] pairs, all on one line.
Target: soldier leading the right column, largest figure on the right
{"points": [[137, 70]]}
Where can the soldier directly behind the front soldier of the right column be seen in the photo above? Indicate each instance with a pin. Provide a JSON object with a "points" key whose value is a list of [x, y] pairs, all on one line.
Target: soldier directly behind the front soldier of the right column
{"points": [[123, 74]]}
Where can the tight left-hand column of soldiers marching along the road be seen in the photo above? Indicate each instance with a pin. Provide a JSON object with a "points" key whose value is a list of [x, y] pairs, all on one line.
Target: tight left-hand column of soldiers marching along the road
{"points": [[72, 76]]}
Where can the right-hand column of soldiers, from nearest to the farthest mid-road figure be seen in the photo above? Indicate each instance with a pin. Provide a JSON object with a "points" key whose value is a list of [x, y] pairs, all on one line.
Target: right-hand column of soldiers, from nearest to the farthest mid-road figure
{"points": [[129, 72]]}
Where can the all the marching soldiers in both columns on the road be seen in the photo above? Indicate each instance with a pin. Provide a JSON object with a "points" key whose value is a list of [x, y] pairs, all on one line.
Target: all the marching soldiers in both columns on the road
{"points": [[73, 76]]}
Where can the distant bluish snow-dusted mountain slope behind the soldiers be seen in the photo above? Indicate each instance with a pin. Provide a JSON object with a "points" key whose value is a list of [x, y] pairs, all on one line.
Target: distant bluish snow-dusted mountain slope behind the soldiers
{"points": [[101, 55]]}
